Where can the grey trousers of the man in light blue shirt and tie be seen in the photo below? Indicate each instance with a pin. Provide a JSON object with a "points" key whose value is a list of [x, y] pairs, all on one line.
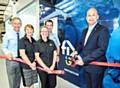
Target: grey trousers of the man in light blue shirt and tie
{"points": [[14, 74]]}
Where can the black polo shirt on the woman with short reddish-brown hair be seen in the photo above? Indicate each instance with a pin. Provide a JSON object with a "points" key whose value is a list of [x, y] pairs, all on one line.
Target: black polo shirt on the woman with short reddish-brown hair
{"points": [[24, 43]]}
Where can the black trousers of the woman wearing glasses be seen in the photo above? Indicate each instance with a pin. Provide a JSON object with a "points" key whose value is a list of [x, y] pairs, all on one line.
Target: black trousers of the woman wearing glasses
{"points": [[47, 80]]}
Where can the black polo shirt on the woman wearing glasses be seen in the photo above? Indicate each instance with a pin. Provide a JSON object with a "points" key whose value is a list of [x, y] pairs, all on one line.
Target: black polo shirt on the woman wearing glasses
{"points": [[46, 51]]}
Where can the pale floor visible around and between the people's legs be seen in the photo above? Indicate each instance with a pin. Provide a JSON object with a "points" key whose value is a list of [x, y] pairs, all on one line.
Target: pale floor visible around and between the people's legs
{"points": [[61, 83]]}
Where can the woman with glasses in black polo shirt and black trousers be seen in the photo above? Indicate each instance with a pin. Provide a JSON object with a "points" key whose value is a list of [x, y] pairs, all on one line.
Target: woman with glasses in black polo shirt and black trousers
{"points": [[45, 53]]}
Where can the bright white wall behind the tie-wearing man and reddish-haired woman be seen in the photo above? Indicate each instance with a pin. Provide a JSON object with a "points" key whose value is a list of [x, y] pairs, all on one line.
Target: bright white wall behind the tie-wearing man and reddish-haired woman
{"points": [[29, 15]]}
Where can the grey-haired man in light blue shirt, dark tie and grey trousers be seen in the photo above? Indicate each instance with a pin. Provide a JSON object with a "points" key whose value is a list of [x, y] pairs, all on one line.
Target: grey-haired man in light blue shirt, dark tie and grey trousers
{"points": [[10, 48]]}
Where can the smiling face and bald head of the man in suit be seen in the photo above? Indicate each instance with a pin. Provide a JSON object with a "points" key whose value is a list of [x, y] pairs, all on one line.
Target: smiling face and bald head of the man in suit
{"points": [[92, 16]]}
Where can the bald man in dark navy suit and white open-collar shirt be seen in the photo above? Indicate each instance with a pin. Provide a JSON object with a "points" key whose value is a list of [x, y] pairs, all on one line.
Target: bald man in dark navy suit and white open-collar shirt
{"points": [[92, 47]]}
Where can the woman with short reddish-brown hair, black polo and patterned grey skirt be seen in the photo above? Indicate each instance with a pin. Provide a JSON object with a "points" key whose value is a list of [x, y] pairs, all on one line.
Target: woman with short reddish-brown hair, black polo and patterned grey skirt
{"points": [[26, 46]]}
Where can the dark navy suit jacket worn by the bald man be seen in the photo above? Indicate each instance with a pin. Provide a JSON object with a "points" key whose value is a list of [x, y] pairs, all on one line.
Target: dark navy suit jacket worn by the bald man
{"points": [[95, 47]]}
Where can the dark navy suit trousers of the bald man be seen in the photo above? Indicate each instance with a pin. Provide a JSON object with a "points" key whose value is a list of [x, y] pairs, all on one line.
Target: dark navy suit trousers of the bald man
{"points": [[94, 80]]}
